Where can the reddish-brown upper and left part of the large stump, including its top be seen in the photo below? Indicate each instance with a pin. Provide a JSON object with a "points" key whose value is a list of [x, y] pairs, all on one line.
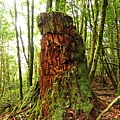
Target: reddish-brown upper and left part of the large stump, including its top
{"points": [[59, 45]]}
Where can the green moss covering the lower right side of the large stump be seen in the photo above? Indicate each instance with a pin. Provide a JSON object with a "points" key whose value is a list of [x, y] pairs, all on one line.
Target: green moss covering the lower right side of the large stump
{"points": [[75, 86]]}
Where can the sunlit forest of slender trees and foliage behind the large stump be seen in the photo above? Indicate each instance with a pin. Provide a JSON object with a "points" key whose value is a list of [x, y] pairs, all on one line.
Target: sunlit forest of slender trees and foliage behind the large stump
{"points": [[98, 22]]}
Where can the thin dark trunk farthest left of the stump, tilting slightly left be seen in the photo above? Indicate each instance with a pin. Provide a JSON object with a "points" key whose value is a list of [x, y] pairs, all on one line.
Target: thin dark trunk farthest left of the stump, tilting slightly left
{"points": [[18, 52]]}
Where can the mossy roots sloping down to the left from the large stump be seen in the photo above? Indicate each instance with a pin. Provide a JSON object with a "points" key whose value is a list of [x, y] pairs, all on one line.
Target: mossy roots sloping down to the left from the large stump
{"points": [[29, 107]]}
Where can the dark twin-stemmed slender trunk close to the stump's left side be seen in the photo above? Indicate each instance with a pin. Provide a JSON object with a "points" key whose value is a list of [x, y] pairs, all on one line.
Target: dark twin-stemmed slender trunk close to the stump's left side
{"points": [[30, 42]]}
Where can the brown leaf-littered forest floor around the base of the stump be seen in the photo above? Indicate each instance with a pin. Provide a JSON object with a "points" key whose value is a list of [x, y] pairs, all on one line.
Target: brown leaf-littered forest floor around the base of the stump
{"points": [[105, 94]]}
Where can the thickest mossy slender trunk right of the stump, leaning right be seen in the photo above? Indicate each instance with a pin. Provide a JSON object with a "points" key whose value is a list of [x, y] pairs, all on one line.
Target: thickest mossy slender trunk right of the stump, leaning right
{"points": [[99, 42]]}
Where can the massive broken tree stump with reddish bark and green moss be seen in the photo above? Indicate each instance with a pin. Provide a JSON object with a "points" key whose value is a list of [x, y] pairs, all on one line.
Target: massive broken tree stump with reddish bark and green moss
{"points": [[64, 83]]}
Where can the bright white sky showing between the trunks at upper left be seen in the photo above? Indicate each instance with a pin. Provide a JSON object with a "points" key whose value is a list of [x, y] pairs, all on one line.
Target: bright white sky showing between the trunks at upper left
{"points": [[8, 5]]}
